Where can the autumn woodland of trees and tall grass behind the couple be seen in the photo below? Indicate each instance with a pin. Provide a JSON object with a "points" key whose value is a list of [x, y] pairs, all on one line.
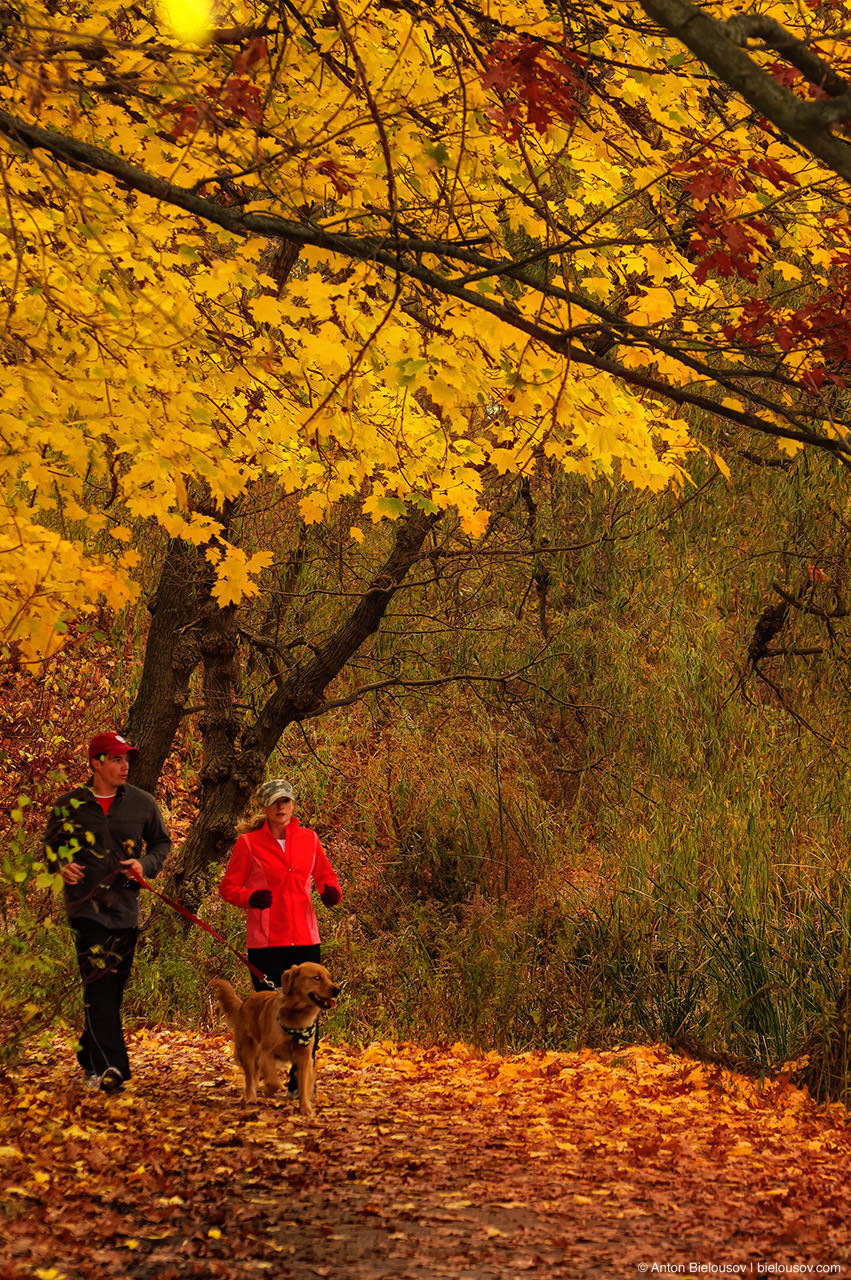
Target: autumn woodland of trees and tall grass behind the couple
{"points": [[446, 412]]}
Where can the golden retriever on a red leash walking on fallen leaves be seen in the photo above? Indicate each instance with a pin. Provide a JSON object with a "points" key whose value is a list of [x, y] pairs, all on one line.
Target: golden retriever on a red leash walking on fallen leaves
{"points": [[272, 1027]]}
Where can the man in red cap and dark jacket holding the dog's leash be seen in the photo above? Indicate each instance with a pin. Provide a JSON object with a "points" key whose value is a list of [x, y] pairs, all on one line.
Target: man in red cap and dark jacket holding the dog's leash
{"points": [[102, 835]]}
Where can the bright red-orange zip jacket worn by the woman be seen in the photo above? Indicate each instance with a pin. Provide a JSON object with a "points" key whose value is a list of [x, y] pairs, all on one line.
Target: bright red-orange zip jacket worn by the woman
{"points": [[259, 862]]}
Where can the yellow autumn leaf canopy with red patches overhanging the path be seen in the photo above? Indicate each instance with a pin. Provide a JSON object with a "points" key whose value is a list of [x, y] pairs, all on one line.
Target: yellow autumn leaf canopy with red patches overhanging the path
{"points": [[373, 254]]}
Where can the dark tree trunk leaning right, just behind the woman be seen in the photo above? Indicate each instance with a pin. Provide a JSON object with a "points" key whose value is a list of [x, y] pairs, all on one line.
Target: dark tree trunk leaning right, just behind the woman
{"points": [[234, 770]]}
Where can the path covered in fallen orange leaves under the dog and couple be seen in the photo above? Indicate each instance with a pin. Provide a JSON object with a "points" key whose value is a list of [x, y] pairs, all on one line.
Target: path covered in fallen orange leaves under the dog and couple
{"points": [[422, 1165]]}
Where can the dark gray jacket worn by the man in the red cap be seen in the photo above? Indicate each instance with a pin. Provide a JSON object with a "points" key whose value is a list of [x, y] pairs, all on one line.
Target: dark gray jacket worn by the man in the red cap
{"points": [[79, 831]]}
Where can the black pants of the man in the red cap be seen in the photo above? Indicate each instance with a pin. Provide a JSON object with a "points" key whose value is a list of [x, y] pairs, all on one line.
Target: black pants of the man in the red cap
{"points": [[106, 959]]}
